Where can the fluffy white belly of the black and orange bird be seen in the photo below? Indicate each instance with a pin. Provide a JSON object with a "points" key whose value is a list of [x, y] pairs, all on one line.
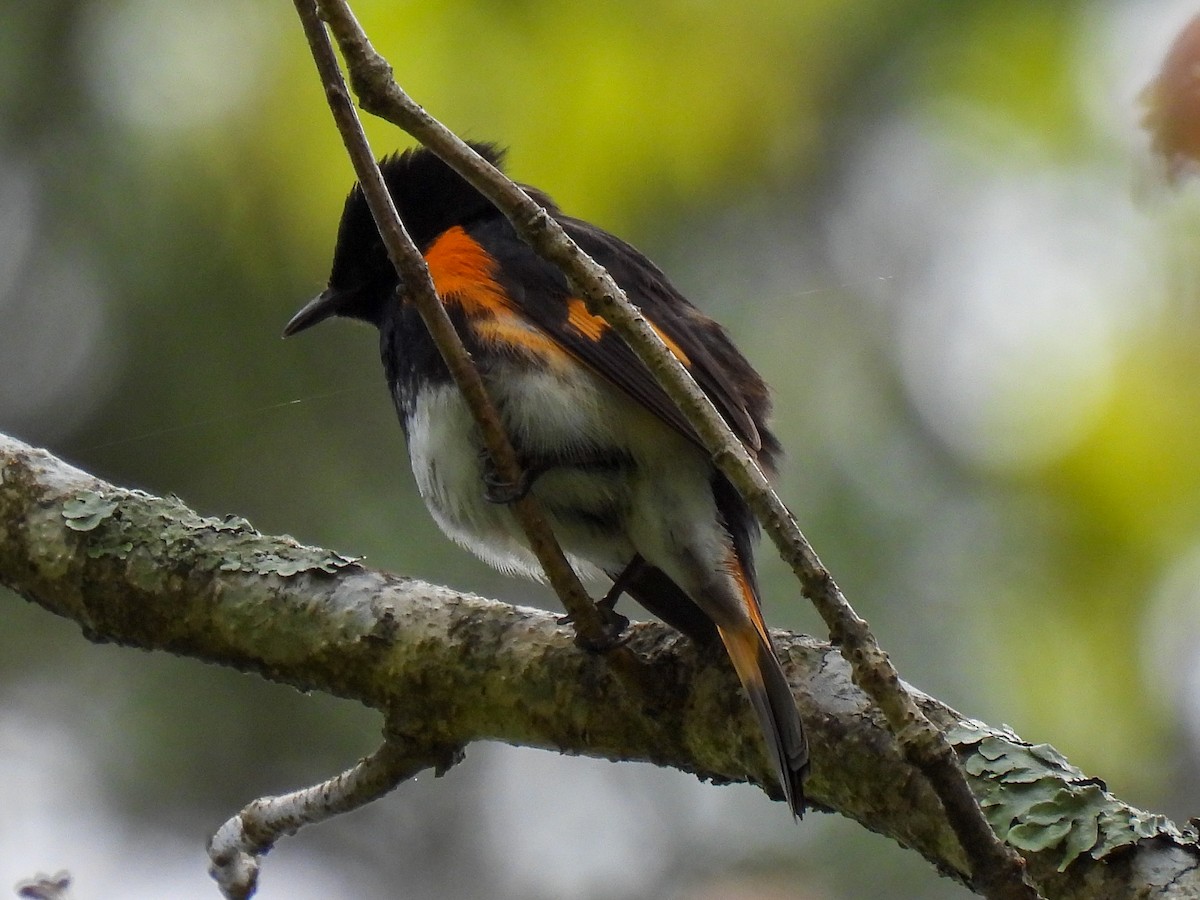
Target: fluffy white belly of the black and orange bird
{"points": [[602, 517]]}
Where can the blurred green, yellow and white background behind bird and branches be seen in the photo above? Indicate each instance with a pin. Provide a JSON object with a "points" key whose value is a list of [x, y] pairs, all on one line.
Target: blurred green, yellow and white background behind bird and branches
{"points": [[938, 231]]}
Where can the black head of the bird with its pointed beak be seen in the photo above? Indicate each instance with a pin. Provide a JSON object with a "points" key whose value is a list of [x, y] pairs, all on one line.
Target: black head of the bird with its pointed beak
{"points": [[430, 199]]}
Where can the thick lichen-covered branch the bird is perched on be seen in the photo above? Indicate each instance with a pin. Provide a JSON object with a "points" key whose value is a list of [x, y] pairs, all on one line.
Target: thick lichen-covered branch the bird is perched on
{"points": [[448, 669]]}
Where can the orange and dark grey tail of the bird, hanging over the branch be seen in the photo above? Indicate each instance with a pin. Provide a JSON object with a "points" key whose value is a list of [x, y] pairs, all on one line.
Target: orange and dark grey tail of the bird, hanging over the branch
{"points": [[763, 677]]}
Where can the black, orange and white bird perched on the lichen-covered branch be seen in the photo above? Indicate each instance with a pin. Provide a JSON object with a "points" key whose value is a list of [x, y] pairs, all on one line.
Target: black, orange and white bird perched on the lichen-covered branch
{"points": [[623, 478]]}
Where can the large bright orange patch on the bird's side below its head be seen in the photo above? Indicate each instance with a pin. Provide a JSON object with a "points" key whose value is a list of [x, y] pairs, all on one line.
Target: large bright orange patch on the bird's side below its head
{"points": [[463, 274]]}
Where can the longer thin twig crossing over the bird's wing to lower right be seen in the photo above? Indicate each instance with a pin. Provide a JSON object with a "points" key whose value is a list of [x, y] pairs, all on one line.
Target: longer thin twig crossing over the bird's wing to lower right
{"points": [[998, 869]]}
